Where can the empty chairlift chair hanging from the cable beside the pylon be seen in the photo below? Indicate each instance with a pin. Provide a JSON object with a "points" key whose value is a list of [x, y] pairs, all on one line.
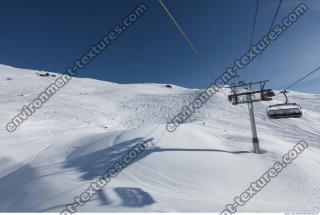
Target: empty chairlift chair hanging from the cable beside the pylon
{"points": [[285, 110]]}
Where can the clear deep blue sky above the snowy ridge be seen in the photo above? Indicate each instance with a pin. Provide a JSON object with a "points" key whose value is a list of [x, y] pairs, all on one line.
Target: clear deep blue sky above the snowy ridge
{"points": [[49, 35]]}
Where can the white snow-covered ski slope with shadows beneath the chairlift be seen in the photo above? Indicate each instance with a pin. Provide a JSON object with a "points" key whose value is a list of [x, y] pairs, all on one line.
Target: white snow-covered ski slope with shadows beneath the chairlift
{"points": [[200, 167]]}
